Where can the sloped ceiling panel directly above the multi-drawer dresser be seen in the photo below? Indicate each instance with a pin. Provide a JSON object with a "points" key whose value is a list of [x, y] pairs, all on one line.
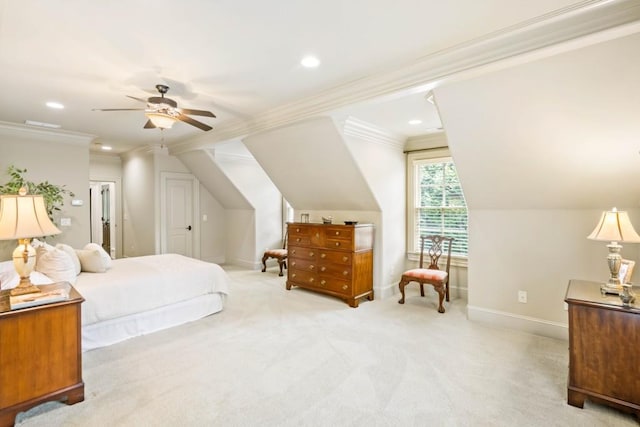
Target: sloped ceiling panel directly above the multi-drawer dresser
{"points": [[312, 167]]}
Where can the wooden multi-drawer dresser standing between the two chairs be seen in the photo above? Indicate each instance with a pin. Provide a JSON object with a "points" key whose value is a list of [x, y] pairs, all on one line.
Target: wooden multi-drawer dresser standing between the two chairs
{"points": [[333, 259]]}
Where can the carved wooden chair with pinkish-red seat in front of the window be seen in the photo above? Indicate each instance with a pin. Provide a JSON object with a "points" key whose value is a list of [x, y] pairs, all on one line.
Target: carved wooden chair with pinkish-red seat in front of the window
{"points": [[433, 246]]}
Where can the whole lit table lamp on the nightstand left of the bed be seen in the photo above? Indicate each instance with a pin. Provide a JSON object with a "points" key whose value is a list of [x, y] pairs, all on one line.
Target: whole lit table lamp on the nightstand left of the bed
{"points": [[22, 217]]}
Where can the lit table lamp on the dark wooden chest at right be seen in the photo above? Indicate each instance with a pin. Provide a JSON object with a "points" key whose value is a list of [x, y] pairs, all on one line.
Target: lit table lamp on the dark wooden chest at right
{"points": [[614, 226]]}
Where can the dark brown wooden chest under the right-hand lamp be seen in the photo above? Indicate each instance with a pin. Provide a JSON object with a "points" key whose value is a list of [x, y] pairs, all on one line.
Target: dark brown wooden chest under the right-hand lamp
{"points": [[604, 348]]}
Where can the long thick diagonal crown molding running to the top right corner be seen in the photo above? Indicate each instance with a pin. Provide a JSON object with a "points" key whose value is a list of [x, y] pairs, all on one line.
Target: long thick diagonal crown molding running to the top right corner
{"points": [[533, 36]]}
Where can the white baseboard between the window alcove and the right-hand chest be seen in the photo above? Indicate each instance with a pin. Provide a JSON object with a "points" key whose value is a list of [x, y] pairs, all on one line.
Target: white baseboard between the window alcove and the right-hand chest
{"points": [[521, 323]]}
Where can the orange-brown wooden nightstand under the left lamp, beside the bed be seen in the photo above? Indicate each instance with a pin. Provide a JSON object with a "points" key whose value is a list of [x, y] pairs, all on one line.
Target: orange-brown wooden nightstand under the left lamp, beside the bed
{"points": [[40, 355]]}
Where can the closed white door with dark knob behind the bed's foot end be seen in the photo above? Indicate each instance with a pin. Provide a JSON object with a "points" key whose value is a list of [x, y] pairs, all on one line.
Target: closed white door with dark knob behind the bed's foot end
{"points": [[179, 216]]}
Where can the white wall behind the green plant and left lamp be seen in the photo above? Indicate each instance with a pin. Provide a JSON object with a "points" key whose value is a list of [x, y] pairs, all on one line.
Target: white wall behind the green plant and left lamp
{"points": [[60, 157]]}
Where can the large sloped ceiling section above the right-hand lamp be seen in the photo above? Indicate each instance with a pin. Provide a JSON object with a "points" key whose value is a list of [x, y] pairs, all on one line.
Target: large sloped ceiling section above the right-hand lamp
{"points": [[570, 138]]}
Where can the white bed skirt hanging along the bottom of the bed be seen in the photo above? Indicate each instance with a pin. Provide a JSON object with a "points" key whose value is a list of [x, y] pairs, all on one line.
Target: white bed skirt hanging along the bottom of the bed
{"points": [[111, 331]]}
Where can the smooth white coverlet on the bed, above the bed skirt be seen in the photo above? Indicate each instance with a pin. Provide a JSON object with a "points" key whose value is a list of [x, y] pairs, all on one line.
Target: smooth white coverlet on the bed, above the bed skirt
{"points": [[140, 284]]}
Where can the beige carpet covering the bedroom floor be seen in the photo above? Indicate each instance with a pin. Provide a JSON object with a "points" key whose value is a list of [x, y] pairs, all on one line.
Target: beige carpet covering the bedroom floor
{"points": [[294, 358]]}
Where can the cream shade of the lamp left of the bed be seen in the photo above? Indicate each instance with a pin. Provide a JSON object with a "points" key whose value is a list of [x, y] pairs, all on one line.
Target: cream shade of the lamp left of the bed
{"points": [[24, 217]]}
